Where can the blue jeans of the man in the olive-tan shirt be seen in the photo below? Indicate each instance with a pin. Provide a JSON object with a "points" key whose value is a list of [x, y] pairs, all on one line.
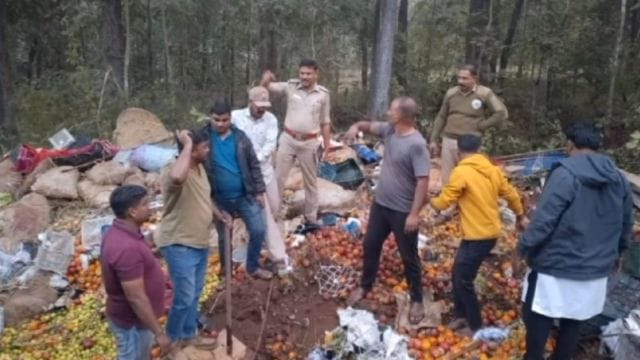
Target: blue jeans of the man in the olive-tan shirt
{"points": [[187, 269]]}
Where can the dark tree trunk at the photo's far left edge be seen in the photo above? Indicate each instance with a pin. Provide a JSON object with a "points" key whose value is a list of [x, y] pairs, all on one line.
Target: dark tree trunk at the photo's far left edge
{"points": [[5, 71]]}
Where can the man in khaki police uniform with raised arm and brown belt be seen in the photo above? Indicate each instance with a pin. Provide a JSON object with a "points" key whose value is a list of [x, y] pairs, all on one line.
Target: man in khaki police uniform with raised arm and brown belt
{"points": [[308, 109]]}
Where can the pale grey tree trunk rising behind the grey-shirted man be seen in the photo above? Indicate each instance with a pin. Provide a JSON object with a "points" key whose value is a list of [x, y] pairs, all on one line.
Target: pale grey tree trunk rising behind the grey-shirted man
{"points": [[383, 59]]}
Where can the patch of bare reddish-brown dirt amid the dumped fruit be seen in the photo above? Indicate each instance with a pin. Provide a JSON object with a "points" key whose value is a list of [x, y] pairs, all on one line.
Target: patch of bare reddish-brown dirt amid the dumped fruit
{"points": [[295, 315]]}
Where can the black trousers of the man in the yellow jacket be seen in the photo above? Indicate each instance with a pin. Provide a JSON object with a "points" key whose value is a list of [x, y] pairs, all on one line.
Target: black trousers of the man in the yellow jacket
{"points": [[469, 257]]}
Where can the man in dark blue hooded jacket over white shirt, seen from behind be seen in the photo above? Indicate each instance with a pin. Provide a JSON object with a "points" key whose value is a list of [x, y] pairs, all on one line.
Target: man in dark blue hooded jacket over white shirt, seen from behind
{"points": [[582, 223]]}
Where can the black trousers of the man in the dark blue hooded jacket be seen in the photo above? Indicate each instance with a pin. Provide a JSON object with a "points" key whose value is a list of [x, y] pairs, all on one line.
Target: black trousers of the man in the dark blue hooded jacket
{"points": [[539, 326]]}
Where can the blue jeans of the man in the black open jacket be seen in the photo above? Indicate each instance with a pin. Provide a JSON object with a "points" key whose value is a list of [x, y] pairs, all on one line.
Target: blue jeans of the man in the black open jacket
{"points": [[251, 213]]}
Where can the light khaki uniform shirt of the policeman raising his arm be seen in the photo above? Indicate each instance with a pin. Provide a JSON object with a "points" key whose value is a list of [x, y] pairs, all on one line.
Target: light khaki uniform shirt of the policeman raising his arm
{"points": [[306, 110]]}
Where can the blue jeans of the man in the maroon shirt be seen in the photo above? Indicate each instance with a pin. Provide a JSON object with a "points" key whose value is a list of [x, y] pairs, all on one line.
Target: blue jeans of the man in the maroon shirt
{"points": [[133, 343]]}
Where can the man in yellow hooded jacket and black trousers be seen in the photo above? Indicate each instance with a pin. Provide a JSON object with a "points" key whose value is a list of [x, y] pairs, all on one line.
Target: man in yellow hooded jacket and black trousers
{"points": [[476, 186]]}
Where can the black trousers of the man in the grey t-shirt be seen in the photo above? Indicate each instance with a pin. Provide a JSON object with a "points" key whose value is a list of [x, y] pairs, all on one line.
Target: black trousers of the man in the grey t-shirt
{"points": [[383, 221]]}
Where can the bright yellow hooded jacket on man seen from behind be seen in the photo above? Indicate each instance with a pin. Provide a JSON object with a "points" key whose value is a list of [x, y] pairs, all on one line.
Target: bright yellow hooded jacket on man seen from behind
{"points": [[476, 185]]}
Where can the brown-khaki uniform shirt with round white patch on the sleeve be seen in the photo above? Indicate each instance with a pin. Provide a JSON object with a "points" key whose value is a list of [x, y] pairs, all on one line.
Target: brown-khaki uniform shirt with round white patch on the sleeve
{"points": [[464, 113]]}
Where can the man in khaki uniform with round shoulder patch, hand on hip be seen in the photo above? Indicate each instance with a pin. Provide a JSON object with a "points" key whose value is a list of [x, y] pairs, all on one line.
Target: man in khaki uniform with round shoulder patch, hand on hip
{"points": [[463, 111]]}
